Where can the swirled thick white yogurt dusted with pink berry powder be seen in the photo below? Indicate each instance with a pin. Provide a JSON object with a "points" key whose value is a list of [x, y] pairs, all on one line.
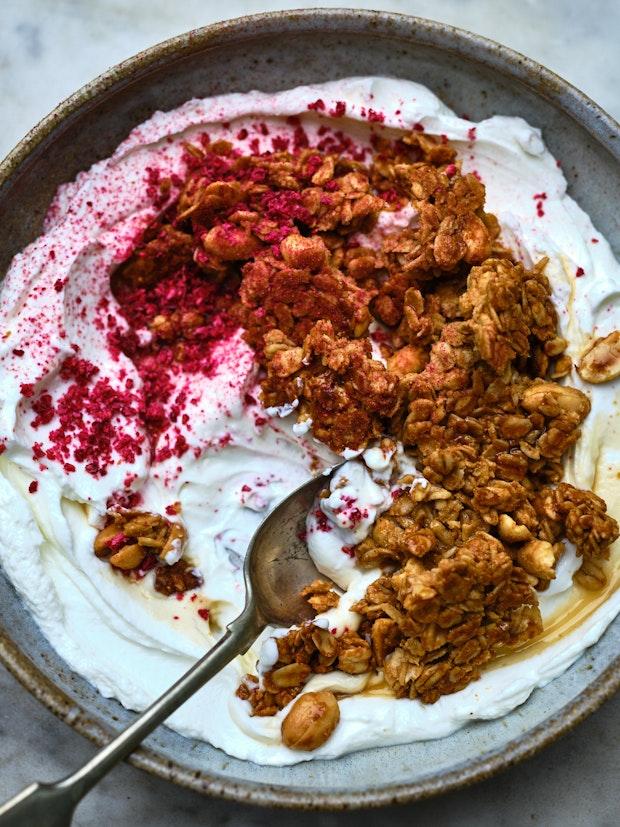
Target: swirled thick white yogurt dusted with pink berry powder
{"points": [[127, 639]]}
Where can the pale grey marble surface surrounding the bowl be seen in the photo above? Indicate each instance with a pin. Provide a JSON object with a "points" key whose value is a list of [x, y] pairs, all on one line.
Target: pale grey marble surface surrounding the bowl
{"points": [[48, 48]]}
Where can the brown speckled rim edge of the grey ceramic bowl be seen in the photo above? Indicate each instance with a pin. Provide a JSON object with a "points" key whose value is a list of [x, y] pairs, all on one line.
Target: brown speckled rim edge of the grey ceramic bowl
{"points": [[510, 63]]}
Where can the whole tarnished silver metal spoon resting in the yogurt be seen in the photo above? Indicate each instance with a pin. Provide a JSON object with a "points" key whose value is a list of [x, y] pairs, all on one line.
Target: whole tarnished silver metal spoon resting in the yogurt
{"points": [[277, 566]]}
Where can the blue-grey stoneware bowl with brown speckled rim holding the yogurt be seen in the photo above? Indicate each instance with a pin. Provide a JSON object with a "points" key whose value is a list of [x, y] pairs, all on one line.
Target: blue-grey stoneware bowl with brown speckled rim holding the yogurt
{"points": [[270, 52]]}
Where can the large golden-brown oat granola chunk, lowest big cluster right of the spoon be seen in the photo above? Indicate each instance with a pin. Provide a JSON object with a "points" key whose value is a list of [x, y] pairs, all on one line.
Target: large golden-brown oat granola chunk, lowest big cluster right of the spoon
{"points": [[449, 620]]}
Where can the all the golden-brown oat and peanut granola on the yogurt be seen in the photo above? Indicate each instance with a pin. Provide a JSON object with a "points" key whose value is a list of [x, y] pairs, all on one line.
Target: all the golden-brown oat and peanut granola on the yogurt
{"points": [[438, 338]]}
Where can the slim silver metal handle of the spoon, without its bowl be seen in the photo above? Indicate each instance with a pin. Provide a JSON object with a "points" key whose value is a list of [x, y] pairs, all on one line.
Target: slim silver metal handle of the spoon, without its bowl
{"points": [[52, 805]]}
